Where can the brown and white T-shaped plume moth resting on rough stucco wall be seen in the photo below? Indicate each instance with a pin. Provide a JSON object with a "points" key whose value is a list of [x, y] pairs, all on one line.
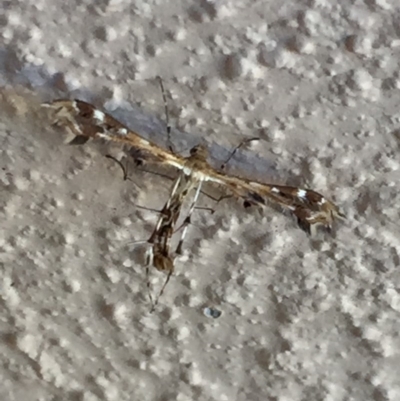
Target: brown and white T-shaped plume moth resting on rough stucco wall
{"points": [[83, 122]]}
